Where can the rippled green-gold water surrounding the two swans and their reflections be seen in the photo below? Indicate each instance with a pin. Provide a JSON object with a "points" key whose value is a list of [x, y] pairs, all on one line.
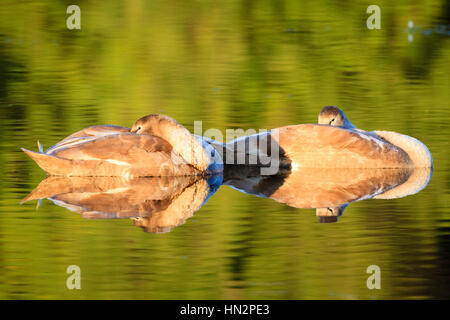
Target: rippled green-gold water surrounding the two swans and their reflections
{"points": [[243, 65]]}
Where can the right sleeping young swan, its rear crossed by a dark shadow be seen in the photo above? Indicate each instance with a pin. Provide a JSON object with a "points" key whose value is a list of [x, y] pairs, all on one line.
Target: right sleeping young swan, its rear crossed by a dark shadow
{"points": [[332, 143]]}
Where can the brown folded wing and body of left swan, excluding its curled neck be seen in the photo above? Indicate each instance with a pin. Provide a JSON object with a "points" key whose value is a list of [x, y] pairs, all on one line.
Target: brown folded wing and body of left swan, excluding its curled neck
{"points": [[127, 155]]}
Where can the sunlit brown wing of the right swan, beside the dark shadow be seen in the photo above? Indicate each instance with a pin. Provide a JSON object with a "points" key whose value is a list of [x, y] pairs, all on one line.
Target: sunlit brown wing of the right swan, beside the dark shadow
{"points": [[323, 146]]}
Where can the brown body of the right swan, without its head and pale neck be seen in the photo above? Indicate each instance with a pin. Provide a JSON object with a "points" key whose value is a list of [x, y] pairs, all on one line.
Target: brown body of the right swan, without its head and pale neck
{"points": [[322, 146]]}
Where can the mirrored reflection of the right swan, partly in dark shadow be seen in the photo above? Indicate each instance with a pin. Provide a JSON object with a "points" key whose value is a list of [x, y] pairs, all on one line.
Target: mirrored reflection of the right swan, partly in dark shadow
{"points": [[329, 190]]}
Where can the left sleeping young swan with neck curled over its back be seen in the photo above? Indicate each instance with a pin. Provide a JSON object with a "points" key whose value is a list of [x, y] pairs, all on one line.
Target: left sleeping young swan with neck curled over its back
{"points": [[156, 145]]}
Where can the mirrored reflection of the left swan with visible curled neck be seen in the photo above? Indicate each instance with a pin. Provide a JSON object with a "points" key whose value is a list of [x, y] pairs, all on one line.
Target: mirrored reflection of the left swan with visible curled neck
{"points": [[155, 204]]}
